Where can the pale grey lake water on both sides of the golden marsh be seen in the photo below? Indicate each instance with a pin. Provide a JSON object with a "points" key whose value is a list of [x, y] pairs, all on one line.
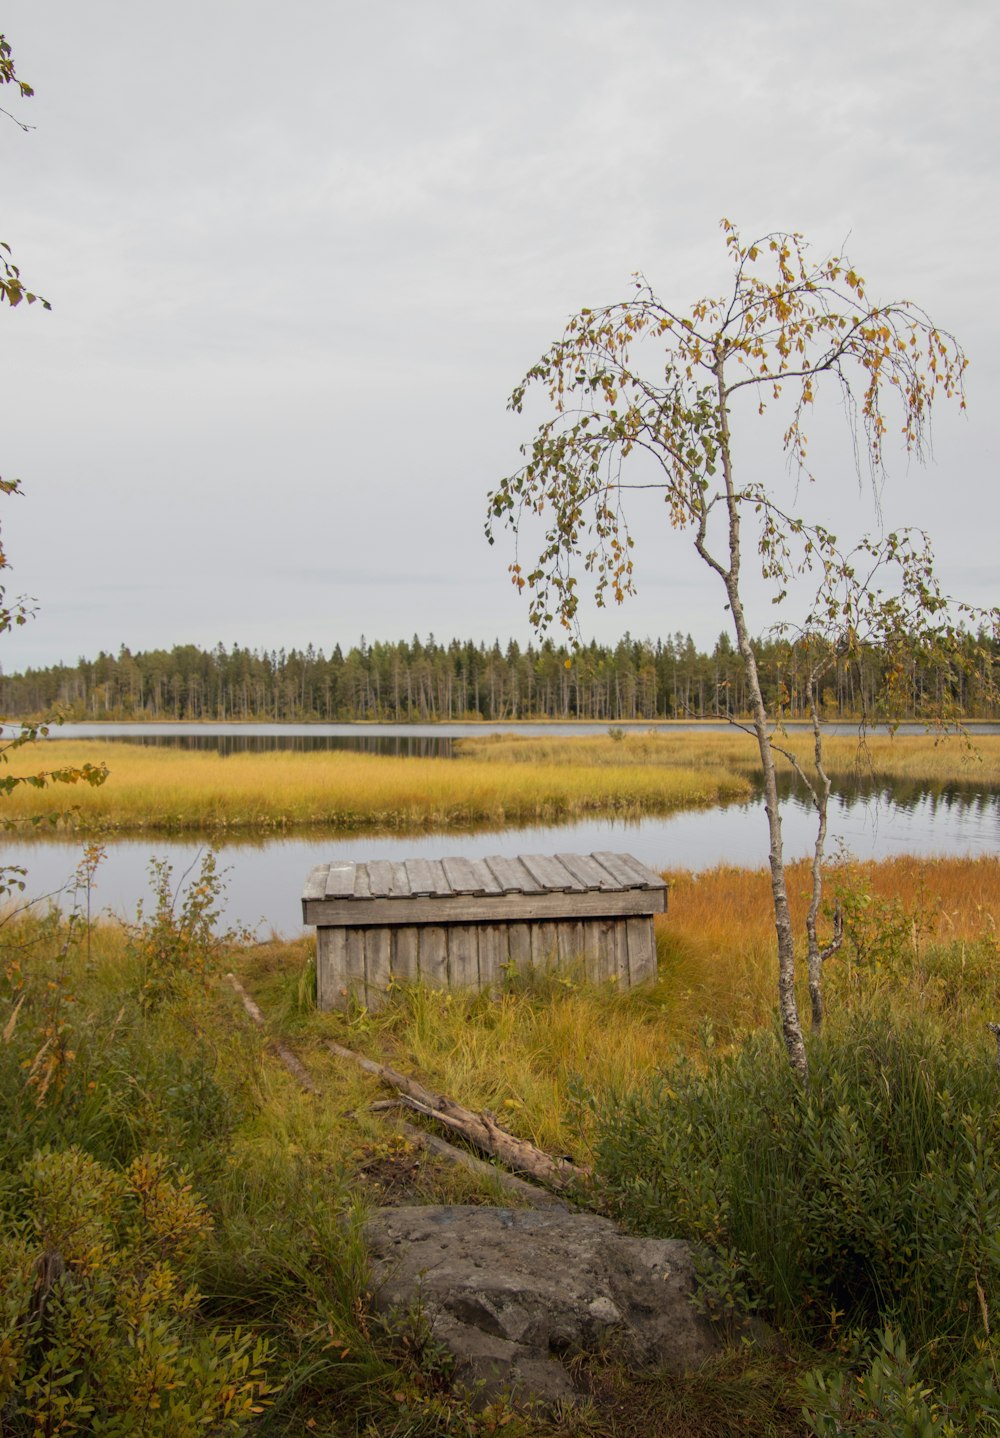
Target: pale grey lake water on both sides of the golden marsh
{"points": [[265, 876]]}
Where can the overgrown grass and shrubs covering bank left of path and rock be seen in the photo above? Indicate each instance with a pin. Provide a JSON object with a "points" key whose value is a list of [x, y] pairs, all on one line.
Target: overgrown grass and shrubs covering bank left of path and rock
{"points": [[271, 1176]]}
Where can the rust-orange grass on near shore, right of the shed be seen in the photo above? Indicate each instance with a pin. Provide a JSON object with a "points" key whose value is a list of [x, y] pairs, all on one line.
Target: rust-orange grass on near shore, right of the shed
{"points": [[910, 921]]}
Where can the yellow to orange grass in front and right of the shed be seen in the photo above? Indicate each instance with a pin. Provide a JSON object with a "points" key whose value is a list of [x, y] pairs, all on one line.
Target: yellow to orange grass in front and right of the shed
{"points": [[520, 1053]]}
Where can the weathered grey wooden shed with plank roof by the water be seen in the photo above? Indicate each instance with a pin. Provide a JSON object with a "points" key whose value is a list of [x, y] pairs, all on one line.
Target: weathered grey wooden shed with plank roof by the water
{"points": [[458, 922]]}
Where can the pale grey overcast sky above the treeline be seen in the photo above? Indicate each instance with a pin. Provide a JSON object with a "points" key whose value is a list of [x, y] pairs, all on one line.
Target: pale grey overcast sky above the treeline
{"points": [[299, 257]]}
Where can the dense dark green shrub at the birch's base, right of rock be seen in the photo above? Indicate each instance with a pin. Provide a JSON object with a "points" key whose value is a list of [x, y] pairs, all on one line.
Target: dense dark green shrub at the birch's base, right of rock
{"points": [[868, 1197]]}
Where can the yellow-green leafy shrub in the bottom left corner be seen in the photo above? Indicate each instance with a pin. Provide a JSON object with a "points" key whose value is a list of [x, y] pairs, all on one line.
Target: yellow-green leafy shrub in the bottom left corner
{"points": [[100, 1327]]}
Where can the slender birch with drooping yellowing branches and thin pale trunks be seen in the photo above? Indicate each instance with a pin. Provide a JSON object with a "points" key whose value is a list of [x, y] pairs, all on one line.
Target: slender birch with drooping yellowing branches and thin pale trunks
{"points": [[645, 398]]}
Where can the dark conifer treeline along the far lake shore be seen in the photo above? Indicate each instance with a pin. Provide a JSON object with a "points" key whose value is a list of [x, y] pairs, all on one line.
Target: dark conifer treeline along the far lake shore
{"points": [[424, 679]]}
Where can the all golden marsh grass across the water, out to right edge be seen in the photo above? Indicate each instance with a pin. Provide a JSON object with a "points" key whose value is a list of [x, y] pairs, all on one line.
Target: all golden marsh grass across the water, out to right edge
{"points": [[499, 782]]}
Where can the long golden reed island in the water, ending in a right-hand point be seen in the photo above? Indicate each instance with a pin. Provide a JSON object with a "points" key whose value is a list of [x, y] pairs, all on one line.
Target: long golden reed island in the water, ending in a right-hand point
{"points": [[175, 790]]}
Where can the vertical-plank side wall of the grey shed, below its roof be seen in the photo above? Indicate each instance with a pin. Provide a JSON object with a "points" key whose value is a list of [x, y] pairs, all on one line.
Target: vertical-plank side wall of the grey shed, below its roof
{"points": [[366, 961]]}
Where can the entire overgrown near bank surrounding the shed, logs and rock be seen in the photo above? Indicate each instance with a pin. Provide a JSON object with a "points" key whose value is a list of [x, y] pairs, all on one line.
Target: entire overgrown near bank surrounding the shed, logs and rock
{"points": [[119, 1045]]}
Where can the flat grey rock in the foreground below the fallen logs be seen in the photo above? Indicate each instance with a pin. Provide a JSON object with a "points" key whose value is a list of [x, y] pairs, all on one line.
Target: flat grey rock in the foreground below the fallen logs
{"points": [[516, 1293]]}
